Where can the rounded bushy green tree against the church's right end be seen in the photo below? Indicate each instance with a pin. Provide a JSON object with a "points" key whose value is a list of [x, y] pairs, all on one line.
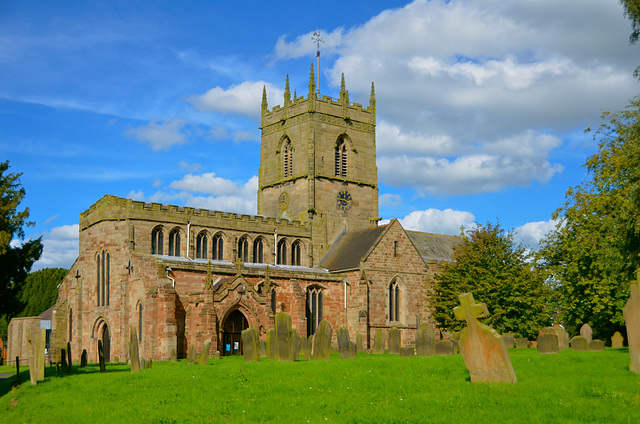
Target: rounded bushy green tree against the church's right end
{"points": [[499, 273]]}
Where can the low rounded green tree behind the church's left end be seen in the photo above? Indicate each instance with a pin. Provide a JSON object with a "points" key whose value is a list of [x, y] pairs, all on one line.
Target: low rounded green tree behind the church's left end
{"points": [[40, 290]]}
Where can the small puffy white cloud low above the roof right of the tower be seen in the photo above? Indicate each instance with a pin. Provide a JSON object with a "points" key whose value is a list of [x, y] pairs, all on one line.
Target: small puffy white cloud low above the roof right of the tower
{"points": [[437, 221]]}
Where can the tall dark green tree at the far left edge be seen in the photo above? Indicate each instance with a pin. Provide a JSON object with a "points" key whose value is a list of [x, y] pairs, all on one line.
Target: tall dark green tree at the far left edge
{"points": [[15, 260]]}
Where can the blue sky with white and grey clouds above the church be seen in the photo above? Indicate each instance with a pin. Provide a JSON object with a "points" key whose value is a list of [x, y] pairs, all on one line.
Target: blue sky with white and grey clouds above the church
{"points": [[481, 104]]}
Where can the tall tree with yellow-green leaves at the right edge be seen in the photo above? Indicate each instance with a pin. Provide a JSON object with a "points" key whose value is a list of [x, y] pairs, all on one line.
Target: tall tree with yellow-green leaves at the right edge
{"points": [[594, 250]]}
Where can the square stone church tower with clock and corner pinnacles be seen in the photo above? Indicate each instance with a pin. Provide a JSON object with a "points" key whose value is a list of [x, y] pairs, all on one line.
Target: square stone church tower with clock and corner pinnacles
{"points": [[318, 163]]}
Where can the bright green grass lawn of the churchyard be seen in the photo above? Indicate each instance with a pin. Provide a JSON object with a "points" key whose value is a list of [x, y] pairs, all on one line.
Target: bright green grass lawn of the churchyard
{"points": [[573, 387]]}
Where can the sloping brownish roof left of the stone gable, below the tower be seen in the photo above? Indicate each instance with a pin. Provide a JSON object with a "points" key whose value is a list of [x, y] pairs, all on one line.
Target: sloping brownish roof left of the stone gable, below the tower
{"points": [[350, 247]]}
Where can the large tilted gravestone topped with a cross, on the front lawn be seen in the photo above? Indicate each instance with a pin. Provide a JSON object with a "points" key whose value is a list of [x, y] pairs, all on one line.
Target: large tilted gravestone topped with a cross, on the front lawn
{"points": [[483, 350]]}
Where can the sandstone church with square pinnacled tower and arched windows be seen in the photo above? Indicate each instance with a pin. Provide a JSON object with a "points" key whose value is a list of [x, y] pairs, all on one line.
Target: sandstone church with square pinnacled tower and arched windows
{"points": [[182, 275]]}
